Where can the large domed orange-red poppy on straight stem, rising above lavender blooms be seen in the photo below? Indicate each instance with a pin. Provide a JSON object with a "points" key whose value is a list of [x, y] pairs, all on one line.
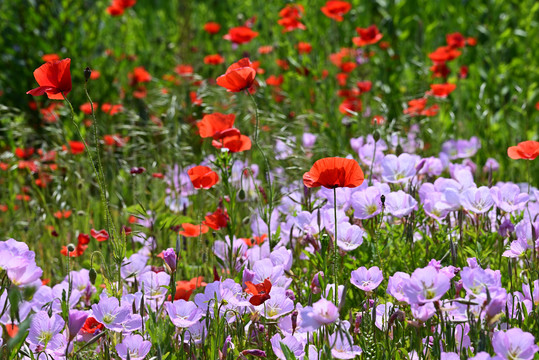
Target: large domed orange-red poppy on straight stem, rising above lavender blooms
{"points": [[334, 172]]}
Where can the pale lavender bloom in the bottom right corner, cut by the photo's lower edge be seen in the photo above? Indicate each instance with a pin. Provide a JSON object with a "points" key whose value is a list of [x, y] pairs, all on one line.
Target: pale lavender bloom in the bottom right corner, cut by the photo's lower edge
{"points": [[514, 344]]}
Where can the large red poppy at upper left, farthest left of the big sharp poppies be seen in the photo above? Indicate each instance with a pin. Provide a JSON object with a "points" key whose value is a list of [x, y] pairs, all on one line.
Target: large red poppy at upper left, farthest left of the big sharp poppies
{"points": [[54, 78]]}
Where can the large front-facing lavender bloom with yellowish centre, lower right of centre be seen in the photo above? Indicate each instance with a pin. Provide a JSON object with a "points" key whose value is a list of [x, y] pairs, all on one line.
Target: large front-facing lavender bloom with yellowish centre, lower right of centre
{"points": [[426, 285]]}
